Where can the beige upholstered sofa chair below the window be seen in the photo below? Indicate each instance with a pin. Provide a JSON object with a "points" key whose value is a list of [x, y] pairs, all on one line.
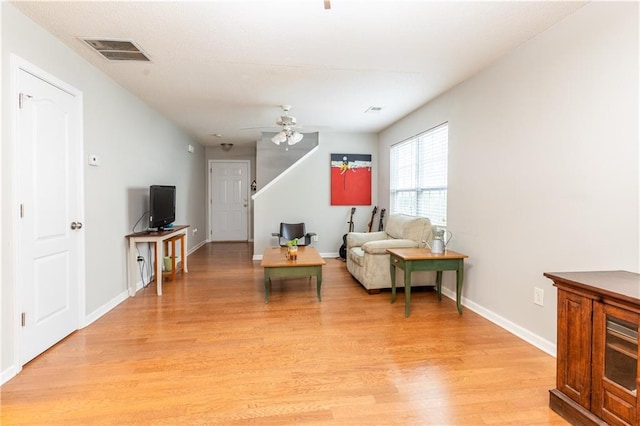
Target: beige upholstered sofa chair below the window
{"points": [[367, 257]]}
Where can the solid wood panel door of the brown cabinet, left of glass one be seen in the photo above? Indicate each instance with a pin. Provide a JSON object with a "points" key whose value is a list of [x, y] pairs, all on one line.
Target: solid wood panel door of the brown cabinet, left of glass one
{"points": [[573, 374]]}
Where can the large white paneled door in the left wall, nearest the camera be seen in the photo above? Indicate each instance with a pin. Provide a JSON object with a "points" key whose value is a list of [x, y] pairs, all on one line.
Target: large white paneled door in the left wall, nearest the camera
{"points": [[50, 252]]}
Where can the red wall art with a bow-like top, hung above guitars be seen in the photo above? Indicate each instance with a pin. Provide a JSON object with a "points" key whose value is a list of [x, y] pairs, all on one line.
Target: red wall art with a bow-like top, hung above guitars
{"points": [[350, 179]]}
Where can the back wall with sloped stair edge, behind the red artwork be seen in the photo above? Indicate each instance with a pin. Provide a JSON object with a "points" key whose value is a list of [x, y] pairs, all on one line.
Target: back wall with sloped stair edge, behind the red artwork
{"points": [[303, 195]]}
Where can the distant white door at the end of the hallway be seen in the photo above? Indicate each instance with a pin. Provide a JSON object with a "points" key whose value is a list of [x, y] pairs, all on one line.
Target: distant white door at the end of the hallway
{"points": [[229, 200]]}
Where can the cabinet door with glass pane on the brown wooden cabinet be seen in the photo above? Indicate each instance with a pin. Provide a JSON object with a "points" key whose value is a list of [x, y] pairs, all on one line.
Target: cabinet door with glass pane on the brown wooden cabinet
{"points": [[615, 364]]}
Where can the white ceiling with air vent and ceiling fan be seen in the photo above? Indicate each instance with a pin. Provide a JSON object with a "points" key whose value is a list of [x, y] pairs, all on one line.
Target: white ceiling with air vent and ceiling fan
{"points": [[223, 66]]}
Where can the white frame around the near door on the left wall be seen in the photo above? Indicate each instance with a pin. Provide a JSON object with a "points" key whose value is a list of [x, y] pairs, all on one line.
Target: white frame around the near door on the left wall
{"points": [[16, 65]]}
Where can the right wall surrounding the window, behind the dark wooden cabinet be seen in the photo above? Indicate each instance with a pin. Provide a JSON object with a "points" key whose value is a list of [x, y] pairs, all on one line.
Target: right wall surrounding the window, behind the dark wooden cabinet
{"points": [[543, 164]]}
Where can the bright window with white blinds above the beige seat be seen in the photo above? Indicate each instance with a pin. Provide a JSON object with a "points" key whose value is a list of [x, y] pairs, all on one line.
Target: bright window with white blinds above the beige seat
{"points": [[419, 175]]}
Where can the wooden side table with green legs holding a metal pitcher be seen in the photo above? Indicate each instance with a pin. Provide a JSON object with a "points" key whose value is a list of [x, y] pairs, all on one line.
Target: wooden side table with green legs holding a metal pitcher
{"points": [[421, 259]]}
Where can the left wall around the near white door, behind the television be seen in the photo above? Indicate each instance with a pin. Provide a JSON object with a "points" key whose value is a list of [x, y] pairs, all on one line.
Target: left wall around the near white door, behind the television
{"points": [[137, 148]]}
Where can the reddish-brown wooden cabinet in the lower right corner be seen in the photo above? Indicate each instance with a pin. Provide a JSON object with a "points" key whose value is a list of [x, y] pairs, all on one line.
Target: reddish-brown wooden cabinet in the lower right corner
{"points": [[597, 347]]}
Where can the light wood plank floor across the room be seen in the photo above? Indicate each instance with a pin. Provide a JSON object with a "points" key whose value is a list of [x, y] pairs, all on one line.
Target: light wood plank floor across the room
{"points": [[210, 351]]}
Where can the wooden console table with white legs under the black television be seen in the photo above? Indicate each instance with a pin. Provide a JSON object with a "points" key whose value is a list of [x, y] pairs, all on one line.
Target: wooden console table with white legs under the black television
{"points": [[158, 238]]}
